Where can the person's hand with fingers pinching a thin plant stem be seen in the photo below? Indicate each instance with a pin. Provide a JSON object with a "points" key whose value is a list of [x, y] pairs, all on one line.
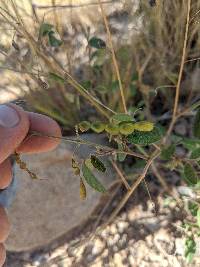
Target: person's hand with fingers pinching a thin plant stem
{"points": [[15, 125]]}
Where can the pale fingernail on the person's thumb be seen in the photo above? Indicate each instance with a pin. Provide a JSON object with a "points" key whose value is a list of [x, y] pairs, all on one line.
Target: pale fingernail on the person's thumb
{"points": [[8, 116]]}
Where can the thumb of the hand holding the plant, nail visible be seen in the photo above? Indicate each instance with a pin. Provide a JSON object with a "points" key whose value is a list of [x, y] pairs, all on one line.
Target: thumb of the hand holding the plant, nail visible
{"points": [[14, 126]]}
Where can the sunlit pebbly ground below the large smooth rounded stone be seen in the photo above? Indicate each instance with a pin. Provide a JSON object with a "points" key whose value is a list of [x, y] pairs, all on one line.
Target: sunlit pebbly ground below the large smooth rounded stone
{"points": [[137, 237]]}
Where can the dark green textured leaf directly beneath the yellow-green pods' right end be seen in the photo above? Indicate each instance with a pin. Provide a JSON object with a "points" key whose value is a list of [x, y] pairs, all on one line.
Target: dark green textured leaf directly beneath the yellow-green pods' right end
{"points": [[145, 138]]}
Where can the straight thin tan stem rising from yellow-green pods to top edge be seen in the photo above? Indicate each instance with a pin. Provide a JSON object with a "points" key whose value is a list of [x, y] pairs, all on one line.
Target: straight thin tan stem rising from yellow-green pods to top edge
{"points": [[113, 56]]}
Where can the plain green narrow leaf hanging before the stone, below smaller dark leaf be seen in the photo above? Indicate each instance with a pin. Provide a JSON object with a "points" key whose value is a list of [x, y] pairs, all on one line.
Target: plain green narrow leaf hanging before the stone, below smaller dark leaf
{"points": [[92, 180]]}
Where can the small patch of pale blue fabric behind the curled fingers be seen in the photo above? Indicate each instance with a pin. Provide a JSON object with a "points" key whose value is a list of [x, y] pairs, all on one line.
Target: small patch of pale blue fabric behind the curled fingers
{"points": [[7, 195]]}
